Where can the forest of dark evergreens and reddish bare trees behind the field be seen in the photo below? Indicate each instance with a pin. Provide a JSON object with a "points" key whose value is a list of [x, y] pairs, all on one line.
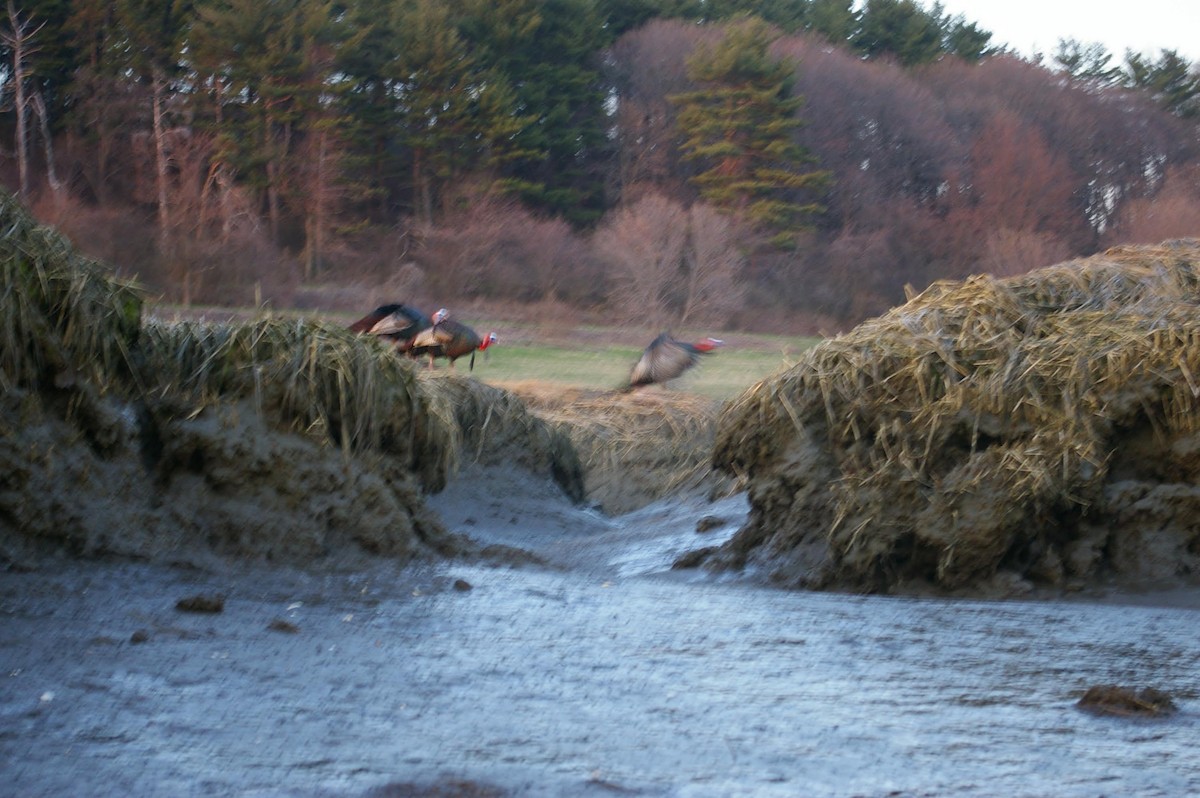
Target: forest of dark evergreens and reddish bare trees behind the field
{"points": [[778, 166]]}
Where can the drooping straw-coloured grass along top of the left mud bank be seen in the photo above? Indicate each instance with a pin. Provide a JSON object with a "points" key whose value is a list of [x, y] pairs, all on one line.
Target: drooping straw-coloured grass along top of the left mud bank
{"points": [[68, 326]]}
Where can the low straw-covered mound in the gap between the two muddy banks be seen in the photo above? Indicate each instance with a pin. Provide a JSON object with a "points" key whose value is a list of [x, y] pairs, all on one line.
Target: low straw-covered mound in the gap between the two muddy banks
{"points": [[634, 448]]}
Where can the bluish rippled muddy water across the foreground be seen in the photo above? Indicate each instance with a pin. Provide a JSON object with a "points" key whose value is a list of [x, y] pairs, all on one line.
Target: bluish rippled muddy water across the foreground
{"points": [[619, 679]]}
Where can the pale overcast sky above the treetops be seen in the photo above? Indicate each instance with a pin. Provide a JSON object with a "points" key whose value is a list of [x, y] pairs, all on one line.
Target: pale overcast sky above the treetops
{"points": [[1036, 26]]}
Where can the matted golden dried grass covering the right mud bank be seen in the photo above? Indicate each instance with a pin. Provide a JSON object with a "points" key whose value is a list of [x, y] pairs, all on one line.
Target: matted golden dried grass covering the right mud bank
{"points": [[933, 441]]}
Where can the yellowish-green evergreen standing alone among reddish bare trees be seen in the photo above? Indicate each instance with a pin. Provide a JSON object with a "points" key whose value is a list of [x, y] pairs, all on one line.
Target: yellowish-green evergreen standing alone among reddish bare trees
{"points": [[740, 128]]}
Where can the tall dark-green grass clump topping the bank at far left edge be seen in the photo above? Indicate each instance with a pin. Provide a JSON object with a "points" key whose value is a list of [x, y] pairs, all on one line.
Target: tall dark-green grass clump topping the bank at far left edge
{"points": [[63, 317]]}
